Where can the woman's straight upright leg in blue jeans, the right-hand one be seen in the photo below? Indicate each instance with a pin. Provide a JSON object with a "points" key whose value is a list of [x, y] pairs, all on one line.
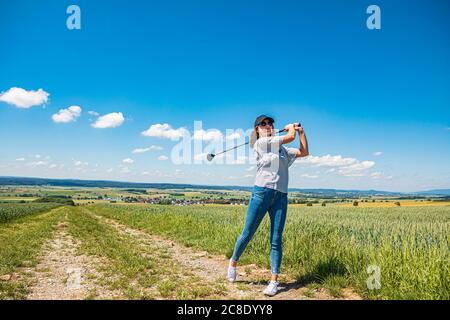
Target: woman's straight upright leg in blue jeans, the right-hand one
{"points": [[277, 213]]}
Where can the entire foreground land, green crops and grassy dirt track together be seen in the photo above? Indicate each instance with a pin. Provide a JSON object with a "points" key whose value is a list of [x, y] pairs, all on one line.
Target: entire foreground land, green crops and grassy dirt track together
{"points": [[136, 251]]}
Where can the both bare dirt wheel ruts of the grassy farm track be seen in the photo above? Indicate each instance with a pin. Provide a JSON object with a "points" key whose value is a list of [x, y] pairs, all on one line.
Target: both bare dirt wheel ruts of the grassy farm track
{"points": [[64, 274]]}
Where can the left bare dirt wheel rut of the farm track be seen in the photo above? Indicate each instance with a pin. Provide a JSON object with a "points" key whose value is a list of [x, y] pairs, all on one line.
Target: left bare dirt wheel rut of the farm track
{"points": [[62, 274]]}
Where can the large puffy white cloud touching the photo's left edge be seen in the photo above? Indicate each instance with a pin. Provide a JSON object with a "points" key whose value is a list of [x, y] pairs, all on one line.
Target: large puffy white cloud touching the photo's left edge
{"points": [[24, 99]]}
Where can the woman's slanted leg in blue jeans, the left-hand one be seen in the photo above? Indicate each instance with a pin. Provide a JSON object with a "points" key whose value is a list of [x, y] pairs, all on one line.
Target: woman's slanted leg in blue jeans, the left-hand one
{"points": [[257, 208]]}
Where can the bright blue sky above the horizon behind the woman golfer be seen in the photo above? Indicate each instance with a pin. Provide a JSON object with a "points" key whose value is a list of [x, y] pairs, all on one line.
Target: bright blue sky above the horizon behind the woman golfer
{"points": [[375, 104]]}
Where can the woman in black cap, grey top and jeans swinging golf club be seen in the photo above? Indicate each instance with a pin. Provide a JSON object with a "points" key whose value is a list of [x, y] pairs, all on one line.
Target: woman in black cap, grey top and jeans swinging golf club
{"points": [[270, 191]]}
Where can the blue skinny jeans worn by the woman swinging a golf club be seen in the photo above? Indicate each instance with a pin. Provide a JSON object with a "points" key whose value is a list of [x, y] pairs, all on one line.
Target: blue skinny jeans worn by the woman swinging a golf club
{"points": [[261, 201]]}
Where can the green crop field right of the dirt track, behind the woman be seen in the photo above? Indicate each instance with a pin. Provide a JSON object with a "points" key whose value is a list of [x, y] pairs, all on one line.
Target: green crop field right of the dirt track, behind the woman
{"points": [[330, 247]]}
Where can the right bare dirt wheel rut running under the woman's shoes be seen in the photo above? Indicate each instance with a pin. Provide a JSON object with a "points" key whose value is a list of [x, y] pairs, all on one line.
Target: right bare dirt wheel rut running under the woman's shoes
{"points": [[212, 268]]}
